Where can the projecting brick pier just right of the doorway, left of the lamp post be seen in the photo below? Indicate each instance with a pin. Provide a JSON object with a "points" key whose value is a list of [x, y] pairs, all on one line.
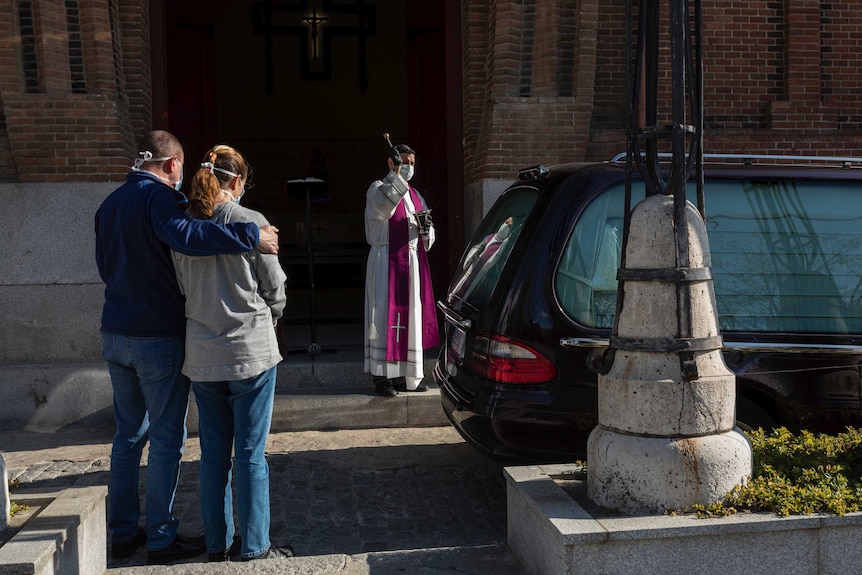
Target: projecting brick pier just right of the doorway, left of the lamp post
{"points": [[528, 71]]}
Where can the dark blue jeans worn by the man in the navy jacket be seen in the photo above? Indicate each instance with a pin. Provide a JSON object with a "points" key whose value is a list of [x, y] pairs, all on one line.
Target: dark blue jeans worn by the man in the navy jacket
{"points": [[151, 398]]}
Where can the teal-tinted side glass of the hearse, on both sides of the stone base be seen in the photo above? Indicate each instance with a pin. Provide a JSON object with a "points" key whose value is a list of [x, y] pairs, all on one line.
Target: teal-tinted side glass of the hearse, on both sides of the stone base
{"points": [[786, 256]]}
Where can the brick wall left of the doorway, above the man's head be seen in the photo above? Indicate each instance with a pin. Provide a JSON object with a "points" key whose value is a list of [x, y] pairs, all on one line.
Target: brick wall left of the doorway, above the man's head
{"points": [[67, 113]]}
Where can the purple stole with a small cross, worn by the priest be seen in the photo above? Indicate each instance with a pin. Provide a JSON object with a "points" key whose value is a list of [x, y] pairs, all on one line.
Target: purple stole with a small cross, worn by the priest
{"points": [[398, 315]]}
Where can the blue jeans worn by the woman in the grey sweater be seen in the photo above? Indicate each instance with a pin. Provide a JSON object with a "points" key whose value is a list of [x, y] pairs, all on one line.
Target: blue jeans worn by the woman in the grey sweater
{"points": [[235, 414]]}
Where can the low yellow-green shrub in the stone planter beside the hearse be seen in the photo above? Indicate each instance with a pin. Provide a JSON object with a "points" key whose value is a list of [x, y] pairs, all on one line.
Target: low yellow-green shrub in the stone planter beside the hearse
{"points": [[798, 475]]}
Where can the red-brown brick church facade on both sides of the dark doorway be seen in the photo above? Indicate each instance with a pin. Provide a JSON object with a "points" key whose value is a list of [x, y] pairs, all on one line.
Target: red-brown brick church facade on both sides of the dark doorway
{"points": [[544, 81]]}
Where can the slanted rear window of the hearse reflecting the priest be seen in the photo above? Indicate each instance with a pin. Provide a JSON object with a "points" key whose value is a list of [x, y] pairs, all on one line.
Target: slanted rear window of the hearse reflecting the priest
{"points": [[483, 262]]}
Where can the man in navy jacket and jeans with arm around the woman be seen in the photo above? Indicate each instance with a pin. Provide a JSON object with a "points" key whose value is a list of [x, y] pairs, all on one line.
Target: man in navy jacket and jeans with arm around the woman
{"points": [[143, 331]]}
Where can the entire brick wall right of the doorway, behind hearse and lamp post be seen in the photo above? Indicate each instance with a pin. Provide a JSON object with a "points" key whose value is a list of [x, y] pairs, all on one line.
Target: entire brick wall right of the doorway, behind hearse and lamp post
{"points": [[780, 77]]}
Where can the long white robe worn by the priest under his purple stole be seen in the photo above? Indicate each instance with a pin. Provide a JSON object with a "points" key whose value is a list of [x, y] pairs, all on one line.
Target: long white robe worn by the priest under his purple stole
{"points": [[382, 199]]}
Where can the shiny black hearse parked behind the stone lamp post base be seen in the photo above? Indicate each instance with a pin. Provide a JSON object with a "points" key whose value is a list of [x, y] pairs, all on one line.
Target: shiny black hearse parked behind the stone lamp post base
{"points": [[535, 294]]}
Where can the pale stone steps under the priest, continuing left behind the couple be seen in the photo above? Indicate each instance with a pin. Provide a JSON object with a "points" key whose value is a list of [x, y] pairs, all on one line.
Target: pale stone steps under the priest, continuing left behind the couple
{"points": [[313, 392]]}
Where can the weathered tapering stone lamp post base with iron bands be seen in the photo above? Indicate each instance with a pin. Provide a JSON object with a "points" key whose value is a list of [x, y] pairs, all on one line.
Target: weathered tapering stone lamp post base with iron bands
{"points": [[665, 441]]}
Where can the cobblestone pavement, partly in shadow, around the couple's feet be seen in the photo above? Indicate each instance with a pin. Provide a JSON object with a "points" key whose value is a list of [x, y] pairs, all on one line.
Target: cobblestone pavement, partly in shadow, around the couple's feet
{"points": [[332, 492]]}
